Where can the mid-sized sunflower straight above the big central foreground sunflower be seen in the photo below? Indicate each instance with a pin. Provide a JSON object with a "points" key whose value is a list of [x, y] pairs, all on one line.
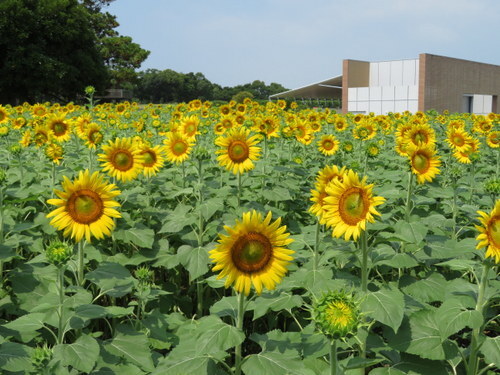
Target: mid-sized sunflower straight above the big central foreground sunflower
{"points": [[238, 150]]}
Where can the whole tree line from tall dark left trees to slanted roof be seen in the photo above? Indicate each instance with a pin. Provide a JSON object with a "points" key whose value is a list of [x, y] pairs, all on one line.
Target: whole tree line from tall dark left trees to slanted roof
{"points": [[52, 49]]}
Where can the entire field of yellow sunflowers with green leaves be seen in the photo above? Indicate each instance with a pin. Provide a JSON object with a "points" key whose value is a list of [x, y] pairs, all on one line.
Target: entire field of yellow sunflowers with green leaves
{"points": [[247, 238]]}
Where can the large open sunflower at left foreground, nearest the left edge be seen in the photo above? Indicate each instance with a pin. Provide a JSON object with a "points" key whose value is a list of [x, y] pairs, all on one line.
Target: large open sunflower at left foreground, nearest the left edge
{"points": [[86, 207]]}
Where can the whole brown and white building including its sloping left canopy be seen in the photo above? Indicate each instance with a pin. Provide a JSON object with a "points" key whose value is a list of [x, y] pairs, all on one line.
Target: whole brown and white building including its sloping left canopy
{"points": [[428, 82]]}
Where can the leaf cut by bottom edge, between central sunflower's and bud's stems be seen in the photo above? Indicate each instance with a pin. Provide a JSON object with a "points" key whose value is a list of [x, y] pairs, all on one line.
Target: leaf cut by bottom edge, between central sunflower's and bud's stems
{"points": [[274, 363]]}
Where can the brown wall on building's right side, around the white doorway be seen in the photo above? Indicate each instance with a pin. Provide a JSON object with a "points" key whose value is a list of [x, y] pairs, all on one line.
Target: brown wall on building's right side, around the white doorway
{"points": [[444, 80]]}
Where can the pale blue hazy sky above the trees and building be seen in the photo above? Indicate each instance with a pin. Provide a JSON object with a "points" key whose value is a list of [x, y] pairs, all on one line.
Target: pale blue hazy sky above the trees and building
{"points": [[299, 42]]}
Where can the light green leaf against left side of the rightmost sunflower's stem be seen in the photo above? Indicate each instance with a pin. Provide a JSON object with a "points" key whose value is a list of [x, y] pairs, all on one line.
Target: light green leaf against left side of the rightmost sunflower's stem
{"points": [[453, 316]]}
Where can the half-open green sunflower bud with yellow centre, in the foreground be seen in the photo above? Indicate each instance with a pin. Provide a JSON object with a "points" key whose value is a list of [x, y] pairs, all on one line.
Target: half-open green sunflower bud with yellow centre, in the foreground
{"points": [[337, 315]]}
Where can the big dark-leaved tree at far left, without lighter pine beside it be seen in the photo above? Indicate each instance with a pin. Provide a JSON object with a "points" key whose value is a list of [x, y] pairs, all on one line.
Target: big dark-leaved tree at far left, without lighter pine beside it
{"points": [[48, 49]]}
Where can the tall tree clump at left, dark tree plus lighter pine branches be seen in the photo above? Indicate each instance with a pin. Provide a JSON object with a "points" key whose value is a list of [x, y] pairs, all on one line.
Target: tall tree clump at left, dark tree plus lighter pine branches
{"points": [[52, 49]]}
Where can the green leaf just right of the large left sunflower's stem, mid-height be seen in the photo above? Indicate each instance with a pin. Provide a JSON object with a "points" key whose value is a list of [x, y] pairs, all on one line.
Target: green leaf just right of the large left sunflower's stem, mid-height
{"points": [[112, 278]]}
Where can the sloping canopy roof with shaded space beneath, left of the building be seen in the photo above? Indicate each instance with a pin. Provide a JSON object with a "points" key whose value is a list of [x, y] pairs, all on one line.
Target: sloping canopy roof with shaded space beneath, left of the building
{"points": [[330, 88]]}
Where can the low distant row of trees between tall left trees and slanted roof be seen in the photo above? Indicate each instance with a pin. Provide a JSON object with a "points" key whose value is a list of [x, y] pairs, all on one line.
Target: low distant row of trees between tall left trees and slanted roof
{"points": [[163, 86]]}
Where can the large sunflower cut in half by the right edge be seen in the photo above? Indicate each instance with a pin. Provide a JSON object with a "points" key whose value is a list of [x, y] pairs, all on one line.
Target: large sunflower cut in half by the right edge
{"points": [[490, 232]]}
